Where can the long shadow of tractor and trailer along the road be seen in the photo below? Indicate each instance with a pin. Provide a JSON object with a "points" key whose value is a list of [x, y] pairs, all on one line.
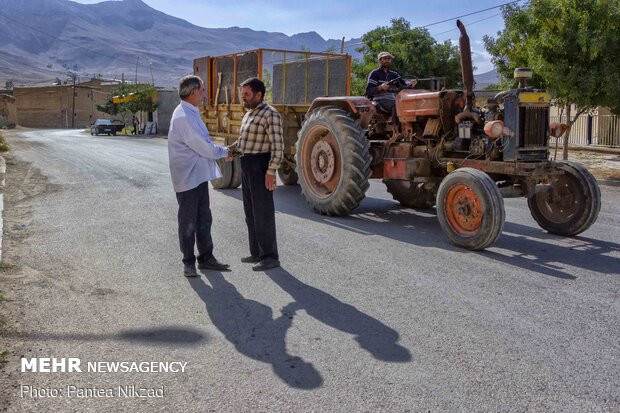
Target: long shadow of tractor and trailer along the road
{"points": [[530, 248]]}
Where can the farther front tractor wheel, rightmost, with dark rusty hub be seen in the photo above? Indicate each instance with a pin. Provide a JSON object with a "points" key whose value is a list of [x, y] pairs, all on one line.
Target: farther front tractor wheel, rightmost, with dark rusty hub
{"points": [[576, 203]]}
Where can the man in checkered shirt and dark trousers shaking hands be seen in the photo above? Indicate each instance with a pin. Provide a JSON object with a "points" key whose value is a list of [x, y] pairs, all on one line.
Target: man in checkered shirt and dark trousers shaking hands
{"points": [[261, 145]]}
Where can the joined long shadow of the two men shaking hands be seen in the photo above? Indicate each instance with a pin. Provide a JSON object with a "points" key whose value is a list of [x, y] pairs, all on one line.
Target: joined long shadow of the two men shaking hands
{"points": [[255, 333]]}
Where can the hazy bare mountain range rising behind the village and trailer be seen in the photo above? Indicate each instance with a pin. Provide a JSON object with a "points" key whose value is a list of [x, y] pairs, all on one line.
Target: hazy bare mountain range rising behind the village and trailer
{"points": [[44, 39]]}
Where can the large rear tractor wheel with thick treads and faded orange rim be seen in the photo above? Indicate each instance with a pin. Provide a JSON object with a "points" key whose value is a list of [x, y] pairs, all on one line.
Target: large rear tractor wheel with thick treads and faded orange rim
{"points": [[333, 162]]}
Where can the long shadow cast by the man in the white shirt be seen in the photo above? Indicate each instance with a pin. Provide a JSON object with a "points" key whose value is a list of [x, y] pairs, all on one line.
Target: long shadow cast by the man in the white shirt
{"points": [[250, 326]]}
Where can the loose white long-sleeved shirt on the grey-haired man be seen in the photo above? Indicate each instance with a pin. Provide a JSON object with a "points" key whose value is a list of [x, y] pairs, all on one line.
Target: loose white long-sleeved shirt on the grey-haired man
{"points": [[191, 152]]}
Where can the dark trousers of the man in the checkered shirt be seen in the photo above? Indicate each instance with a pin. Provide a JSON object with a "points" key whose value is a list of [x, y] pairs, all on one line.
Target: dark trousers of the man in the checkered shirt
{"points": [[260, 213]]}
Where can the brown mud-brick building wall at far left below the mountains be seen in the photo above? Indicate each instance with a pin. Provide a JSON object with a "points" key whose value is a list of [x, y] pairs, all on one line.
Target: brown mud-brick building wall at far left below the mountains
{"points": [[62, 106]]}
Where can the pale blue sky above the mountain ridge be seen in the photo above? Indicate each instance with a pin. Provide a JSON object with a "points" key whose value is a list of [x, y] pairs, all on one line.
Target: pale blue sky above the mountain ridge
{"points": [[333, 19]]}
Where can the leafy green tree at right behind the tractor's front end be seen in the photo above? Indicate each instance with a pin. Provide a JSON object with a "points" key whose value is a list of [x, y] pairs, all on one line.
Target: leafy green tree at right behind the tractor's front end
{"points": [[572, 46]]}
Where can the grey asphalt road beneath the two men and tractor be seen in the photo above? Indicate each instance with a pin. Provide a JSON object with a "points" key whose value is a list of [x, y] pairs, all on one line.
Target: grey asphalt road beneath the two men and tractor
{"points": [[372, 312]]}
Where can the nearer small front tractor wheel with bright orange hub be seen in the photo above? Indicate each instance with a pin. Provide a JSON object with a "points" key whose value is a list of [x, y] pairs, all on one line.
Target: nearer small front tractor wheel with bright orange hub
{"points": [[470, 208]]}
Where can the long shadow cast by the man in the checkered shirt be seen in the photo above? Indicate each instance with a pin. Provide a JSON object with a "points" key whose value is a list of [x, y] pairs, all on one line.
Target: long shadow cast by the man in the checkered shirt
{"points": [[372, 335]]}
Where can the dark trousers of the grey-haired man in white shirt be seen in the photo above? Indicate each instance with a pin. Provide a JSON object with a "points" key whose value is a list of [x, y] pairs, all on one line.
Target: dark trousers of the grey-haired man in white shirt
{"points": [[195, 224]]}
